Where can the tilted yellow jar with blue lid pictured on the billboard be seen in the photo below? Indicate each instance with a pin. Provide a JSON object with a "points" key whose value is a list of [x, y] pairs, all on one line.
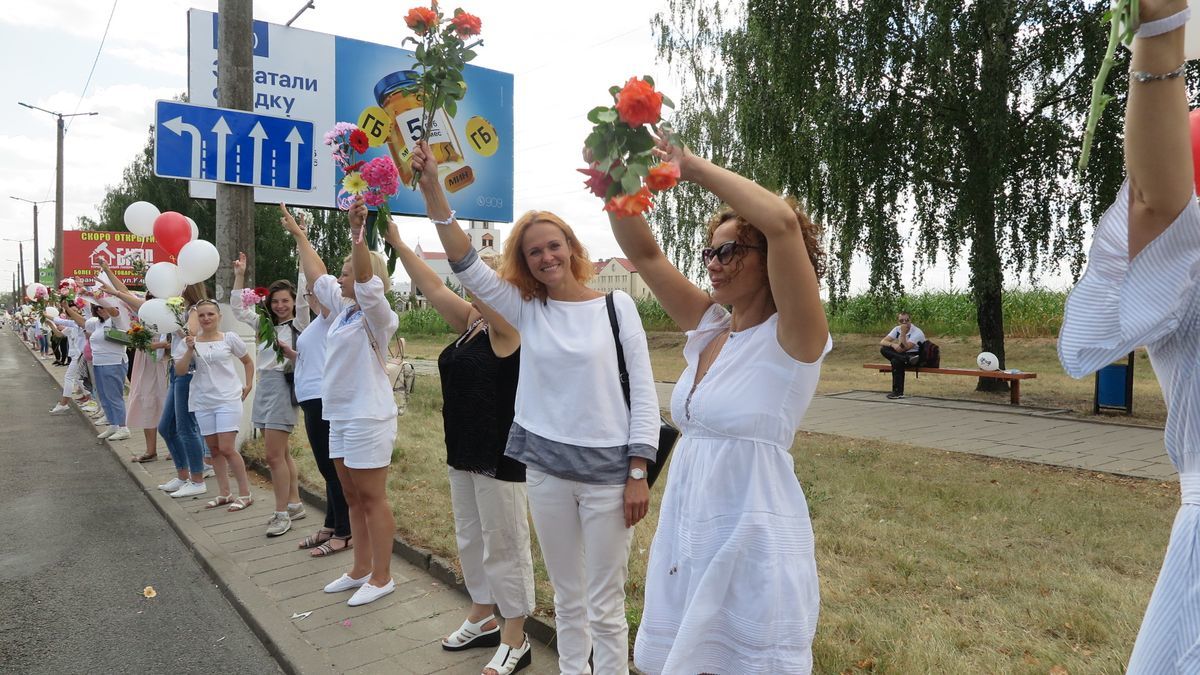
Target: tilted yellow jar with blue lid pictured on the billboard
{"points": [[399, 95]]}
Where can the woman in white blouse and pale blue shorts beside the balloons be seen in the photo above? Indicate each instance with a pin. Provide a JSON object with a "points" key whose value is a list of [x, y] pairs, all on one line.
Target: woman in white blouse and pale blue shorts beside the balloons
{"points": [[217, 396]]}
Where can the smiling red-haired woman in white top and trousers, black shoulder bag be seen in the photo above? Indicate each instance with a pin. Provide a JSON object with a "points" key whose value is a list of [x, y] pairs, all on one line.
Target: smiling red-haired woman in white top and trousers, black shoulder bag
{"points": [[586, 474]]}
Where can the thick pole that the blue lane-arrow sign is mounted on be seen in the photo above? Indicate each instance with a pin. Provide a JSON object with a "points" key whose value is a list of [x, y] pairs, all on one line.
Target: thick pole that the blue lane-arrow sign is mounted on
{"points": [[236, 91]]}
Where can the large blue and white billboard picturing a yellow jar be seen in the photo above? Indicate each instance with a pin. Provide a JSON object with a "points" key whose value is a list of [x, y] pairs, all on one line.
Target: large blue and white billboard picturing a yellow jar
{"points": [[327, 79]]}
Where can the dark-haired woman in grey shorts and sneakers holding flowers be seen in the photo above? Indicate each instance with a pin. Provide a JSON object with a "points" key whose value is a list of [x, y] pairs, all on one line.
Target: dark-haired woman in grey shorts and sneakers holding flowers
{"points": [[272, 314]]}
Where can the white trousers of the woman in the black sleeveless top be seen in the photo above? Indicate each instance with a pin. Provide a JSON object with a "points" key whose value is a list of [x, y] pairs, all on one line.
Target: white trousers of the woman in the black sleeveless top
{"points": [[493, 525]]}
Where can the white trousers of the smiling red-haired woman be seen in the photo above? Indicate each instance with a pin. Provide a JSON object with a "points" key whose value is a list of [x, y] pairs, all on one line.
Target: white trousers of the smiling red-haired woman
{"points": [[585, 542]]}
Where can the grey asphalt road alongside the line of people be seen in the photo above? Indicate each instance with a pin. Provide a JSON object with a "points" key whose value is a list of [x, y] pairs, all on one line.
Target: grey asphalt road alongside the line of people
{"points": [[80, 542]]}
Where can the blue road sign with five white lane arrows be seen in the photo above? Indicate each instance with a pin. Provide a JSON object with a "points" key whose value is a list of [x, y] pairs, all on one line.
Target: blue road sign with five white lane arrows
{"points": [[224, 146]]}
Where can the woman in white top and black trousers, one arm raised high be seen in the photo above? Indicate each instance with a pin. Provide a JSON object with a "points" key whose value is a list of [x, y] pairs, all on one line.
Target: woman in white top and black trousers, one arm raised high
{"points": [[309, 357]]}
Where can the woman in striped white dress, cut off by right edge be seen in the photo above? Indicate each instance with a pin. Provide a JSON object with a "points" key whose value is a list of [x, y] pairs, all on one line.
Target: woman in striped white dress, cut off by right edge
{"points": [[1142, 289]]}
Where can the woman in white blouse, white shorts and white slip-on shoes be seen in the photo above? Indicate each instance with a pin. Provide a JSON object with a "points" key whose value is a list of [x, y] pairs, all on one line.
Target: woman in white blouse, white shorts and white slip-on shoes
{"points": [[358, 403]]}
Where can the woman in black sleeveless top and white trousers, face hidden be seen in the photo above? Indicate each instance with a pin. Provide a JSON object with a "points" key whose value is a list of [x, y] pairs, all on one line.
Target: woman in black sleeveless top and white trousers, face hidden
{"points": [[479, 386]]}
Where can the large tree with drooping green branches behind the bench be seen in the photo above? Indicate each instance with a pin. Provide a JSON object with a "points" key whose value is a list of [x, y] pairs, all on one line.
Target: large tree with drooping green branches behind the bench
{"points": [[911, 129]]}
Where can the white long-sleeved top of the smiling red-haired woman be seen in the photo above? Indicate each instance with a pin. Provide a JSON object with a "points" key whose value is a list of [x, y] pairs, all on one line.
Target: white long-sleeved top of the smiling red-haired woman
{"points": [[569, 389]]}
